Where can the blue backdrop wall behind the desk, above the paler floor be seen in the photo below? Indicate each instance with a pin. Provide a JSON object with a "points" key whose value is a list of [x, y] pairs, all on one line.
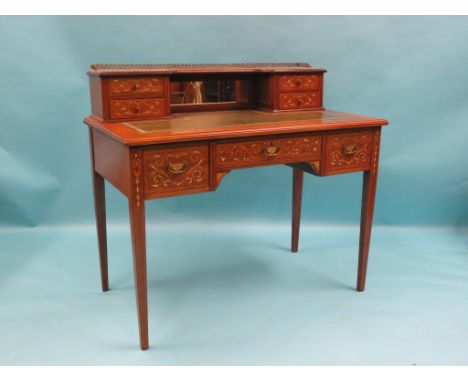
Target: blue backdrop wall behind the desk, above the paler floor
{"points": [[410, 70]]}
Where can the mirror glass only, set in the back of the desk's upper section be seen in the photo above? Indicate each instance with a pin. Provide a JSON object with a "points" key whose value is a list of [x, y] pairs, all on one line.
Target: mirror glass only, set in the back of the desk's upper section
{"points": [[209, 91]]}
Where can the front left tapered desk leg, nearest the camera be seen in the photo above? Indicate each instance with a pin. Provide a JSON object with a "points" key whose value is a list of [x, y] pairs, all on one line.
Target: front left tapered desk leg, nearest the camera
{"points": [[137, 225]]}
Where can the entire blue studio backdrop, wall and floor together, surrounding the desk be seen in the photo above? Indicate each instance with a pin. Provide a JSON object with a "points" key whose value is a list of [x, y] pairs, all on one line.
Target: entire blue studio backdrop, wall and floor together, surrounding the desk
{"points": [[223, 286]]}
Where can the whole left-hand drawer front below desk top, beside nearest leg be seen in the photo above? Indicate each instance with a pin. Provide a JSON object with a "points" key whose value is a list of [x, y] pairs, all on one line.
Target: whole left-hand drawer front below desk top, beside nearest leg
{"points": [[176, 170]]}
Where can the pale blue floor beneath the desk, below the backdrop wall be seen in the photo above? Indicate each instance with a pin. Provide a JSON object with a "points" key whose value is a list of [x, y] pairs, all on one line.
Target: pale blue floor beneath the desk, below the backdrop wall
{"points": [[235, 295]]}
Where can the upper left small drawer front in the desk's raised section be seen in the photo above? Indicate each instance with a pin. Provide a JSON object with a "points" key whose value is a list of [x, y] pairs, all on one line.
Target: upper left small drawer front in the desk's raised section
{"points": [[137, 86]]}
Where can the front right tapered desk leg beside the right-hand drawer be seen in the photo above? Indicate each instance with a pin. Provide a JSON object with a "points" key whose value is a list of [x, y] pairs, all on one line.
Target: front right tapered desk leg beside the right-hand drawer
{"points": [[367, 213]]}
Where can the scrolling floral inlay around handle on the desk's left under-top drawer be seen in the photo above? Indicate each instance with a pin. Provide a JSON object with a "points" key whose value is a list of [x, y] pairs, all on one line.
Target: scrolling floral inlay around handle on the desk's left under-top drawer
{"points": [[176, 169]]}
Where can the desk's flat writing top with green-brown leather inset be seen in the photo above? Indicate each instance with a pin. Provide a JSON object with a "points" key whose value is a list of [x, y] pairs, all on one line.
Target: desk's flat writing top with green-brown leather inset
{"points": [[229, 124]]}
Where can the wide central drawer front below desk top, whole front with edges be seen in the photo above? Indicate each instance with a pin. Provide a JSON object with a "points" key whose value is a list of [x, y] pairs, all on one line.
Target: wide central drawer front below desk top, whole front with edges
{"points": [[267, 151]]}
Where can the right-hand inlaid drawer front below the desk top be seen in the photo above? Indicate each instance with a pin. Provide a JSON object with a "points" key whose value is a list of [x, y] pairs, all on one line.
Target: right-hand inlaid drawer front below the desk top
{"points": [[348, 152]]}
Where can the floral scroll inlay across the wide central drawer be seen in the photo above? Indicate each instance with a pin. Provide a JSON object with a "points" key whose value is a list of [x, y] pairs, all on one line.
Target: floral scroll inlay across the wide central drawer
{"points": [[247, 152]]}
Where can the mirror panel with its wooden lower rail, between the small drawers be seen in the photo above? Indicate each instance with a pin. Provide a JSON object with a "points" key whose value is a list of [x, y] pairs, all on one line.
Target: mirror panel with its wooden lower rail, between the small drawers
{"points": [[210, 94]]}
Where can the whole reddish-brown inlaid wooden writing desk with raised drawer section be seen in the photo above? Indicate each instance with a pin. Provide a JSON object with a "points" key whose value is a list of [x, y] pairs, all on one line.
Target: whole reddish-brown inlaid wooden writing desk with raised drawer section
{"points": [[167, 130]]}
